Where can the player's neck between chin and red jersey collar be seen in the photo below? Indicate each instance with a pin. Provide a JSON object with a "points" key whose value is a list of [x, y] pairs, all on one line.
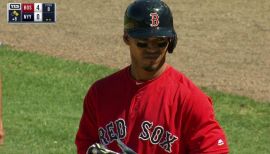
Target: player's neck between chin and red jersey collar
{"points": [[143, 75]]}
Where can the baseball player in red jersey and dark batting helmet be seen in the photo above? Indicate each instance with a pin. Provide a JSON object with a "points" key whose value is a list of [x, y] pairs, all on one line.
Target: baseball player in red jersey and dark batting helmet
{"points": [[149, 106]]}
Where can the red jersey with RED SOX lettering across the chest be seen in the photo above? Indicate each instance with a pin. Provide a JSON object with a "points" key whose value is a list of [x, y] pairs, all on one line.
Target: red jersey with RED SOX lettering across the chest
{"points": [[167, 114]]}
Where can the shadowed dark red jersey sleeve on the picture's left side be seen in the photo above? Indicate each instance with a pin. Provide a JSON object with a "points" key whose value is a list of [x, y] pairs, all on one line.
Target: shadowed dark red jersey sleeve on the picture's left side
{"points": [[87, 133]]}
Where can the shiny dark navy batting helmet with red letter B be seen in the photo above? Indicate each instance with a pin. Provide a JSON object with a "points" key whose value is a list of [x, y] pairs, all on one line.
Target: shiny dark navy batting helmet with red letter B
{"points": [[150, 18]]}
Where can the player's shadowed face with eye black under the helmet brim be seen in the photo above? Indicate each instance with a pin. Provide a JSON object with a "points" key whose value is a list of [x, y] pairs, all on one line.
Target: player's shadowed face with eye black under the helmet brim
{"points": [[148, 54]]}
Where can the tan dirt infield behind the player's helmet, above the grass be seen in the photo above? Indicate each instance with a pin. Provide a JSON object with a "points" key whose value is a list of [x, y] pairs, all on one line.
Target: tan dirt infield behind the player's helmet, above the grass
{"points": [[222, 44]]}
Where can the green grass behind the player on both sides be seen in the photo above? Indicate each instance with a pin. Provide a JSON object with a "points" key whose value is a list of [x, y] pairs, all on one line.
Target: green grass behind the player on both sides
{"points": [[42, 105]]}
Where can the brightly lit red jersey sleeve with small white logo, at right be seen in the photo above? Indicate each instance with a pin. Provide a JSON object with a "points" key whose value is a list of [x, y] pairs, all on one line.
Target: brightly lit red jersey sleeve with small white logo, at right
{"points": [[202, 132]]}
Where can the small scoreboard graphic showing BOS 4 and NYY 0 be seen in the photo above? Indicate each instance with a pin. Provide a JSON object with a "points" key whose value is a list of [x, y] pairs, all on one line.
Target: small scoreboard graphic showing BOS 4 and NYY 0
{"points": [[31, 12]]}
